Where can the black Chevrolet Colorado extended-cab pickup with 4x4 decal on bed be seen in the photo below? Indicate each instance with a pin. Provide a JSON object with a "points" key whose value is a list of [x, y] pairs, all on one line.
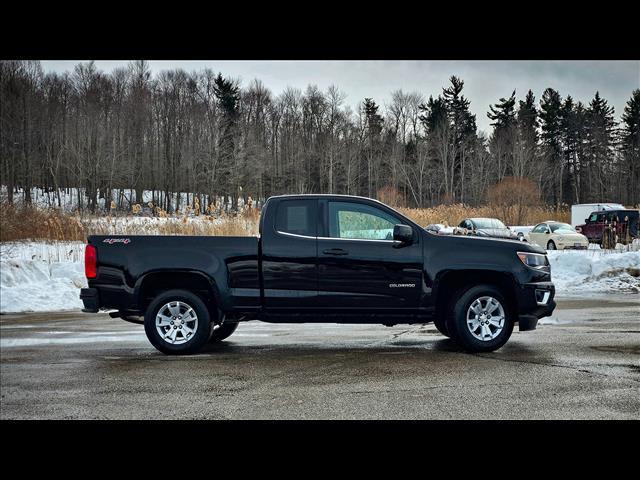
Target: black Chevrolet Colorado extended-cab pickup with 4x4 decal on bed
{"points": [[320, 258]]}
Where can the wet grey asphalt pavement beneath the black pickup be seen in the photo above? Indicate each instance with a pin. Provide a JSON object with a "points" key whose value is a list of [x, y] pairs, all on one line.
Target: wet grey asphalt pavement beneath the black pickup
{"points": [[584, 362]]}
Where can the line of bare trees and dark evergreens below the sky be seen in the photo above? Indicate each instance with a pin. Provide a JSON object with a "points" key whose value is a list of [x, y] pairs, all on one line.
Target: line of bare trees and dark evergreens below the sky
{"points": [[205, 133]]}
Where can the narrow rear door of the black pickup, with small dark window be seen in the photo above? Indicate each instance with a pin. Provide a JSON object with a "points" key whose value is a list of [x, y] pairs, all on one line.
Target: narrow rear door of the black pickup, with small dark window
{"points": [[289, 255]]}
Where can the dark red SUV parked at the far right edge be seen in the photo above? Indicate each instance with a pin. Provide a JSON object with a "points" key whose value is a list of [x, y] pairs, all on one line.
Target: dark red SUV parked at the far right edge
{"points": [[608, 227]]}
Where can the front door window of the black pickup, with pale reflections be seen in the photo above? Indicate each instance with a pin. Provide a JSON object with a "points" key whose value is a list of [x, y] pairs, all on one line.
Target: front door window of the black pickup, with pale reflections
{"points": [[356, 221]]}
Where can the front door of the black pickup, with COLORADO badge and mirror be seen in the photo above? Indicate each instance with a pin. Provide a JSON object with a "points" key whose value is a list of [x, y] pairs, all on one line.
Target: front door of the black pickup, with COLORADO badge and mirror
{"points": [[360, 268]]}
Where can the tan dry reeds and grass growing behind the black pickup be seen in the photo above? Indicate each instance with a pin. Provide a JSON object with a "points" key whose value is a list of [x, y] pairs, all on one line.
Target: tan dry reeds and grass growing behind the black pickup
{"points": [[31, 223]]}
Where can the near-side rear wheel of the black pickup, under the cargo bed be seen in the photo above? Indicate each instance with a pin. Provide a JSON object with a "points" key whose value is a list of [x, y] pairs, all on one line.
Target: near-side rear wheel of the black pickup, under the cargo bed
{"points": [[177, 322]]}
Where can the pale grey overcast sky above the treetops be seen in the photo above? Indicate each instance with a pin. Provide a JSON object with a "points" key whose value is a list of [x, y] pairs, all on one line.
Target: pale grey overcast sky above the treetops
{"points": [[485, 81]]}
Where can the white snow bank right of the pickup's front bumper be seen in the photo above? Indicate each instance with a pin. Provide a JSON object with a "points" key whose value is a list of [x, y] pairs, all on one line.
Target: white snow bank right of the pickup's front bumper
{"points": [[595, 271]]}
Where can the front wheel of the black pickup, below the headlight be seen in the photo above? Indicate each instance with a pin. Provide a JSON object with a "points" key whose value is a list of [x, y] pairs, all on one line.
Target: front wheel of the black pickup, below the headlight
{"points": [[481, 320]]}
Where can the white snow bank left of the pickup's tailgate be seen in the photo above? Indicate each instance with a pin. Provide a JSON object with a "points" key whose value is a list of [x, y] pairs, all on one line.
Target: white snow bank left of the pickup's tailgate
{"points": [[39, 277]]}
